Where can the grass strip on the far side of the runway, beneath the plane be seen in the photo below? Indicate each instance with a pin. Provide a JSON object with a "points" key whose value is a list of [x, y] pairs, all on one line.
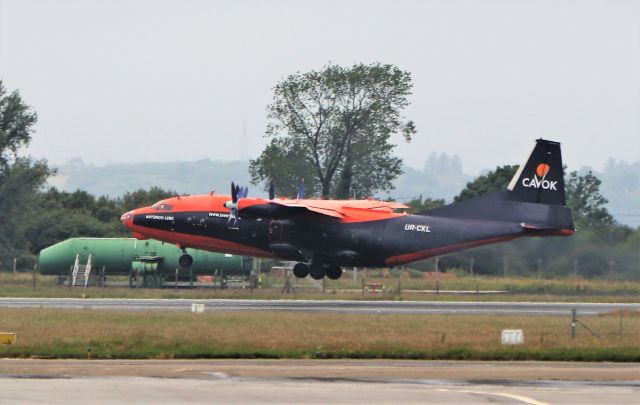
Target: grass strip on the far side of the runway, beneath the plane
{"points": [[398, 288]]}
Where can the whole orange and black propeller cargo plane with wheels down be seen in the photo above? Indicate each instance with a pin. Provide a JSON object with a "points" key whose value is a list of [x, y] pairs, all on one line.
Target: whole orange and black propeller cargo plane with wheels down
{"points": [[323, 235]]}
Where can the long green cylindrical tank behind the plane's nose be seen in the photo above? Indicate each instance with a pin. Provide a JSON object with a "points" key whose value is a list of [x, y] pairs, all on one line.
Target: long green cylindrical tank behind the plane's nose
{"points": [[121, 255]]}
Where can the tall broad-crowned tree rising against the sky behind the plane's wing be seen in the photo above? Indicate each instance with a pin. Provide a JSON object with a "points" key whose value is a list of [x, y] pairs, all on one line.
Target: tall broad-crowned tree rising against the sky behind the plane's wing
{"points": [[331, 128]]}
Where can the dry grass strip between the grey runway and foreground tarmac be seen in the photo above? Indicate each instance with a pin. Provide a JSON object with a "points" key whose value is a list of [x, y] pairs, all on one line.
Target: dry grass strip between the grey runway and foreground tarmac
{"points": [[261, 334]]}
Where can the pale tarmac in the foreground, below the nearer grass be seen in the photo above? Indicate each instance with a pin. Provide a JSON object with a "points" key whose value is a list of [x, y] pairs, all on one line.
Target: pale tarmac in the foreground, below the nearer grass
{"points": [[315, 381]]}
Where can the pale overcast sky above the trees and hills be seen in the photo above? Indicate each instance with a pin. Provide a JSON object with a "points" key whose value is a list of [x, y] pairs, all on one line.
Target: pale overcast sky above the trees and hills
{"points": [[135, 80]]}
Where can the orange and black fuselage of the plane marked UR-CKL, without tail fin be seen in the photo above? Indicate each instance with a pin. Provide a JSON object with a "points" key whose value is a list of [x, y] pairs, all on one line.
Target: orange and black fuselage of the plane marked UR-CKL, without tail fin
{"points": [[203, 222]]}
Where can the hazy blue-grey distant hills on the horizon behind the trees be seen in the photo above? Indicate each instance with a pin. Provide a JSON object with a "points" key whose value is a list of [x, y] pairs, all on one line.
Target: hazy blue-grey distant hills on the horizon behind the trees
{"points": [[441, 177]]}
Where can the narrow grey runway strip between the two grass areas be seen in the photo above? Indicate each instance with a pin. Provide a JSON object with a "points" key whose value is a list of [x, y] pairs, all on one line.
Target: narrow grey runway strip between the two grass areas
{"points": [[375, 307]]}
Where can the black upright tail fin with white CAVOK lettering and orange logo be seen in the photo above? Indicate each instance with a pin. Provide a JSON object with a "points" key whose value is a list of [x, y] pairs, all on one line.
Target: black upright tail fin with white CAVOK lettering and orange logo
{"points": [[540, 178]]}
